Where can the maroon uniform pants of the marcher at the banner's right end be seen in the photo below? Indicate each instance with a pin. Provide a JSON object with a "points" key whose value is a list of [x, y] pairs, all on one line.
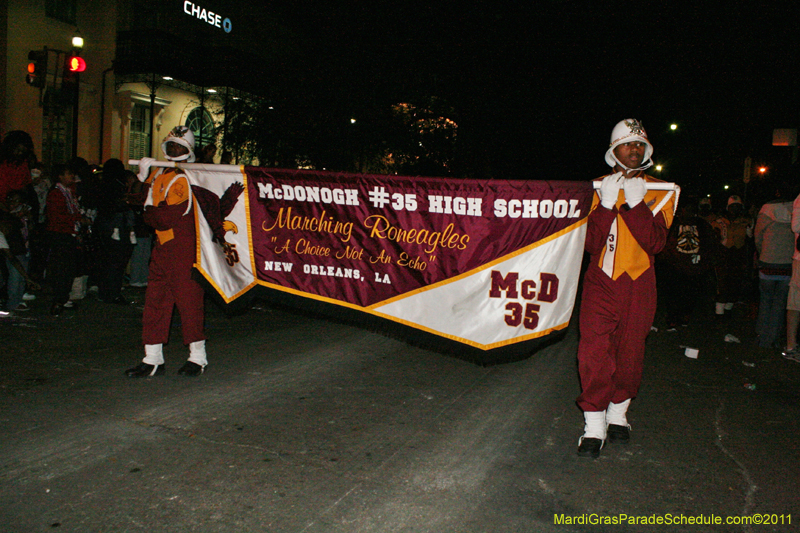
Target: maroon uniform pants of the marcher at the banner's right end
{"points": [[615, 320]]}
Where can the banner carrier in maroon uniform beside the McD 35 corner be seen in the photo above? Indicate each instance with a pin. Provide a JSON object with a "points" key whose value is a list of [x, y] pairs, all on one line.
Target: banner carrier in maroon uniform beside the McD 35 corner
{"points": [[627, 227]]}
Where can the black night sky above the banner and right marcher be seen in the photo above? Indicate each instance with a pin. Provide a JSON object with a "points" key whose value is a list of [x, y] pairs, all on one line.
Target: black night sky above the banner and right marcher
{"points": [[538, 86]]}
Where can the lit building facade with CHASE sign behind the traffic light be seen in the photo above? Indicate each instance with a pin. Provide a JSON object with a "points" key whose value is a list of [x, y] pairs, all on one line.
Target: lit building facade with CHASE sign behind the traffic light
{"points": [[150, 65]]}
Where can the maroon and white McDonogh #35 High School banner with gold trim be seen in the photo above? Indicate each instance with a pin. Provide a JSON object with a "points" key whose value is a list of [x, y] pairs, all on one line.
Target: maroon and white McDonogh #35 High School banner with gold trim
{"points": [[485, 263]]}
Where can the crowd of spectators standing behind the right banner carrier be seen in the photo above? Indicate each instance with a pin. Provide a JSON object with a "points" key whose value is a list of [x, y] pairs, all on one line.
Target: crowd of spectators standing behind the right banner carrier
{"points": [[734, 254]]}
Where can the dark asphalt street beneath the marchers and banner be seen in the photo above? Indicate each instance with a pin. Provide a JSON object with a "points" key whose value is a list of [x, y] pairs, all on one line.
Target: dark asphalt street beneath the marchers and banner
{"points": [[304, 425]]}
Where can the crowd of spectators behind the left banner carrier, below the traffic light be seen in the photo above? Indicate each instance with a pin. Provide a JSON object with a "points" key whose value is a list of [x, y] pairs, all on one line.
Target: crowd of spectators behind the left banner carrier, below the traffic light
{"points": [[68, 230]]}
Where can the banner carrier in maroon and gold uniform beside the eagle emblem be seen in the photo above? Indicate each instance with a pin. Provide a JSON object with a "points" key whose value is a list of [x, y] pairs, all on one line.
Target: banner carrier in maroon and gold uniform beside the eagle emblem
{"points": [[169, 210]]}
